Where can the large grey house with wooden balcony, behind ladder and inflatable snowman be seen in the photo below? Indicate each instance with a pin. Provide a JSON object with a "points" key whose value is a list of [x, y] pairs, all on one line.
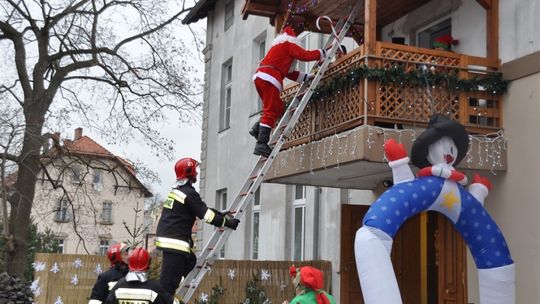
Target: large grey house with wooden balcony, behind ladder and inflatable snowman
{"points": [[337, 146]]}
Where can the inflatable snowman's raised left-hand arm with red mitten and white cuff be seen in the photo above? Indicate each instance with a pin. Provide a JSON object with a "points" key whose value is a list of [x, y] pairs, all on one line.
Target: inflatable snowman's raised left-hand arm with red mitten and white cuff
{"points": [[398, 161]]}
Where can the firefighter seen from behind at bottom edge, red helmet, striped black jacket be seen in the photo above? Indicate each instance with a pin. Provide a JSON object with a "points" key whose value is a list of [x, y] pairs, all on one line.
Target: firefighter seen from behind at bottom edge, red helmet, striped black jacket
{"points": [[135, 288]]}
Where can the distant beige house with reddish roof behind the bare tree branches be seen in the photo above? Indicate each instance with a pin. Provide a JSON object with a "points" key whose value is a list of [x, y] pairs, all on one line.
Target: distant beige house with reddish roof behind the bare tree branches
{"points": [[102, 192]]}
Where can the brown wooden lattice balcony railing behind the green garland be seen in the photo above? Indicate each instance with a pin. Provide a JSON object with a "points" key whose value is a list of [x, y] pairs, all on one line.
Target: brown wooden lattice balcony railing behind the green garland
{"points": [[374, 102]]}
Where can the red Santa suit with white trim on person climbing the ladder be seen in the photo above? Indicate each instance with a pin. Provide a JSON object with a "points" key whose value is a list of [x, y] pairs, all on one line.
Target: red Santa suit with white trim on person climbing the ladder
{"points": [[275, 66]]}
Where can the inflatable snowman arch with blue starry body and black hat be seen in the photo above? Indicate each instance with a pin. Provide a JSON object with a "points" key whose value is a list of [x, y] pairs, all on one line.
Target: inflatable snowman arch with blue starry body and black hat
{"points": [[441, 188]]}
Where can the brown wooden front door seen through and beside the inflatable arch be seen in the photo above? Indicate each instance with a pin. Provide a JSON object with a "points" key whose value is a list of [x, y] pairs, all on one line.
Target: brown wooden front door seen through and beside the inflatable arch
{"points": [[428, 257]]}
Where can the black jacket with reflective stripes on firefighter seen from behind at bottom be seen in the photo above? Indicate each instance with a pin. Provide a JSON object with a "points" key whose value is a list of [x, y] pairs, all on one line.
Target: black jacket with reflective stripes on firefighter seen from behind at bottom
{"points": [[134, 290]]}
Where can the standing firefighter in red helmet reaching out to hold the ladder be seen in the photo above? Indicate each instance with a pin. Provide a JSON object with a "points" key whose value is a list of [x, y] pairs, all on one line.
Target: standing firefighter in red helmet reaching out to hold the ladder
{"points": [[179, 212]]}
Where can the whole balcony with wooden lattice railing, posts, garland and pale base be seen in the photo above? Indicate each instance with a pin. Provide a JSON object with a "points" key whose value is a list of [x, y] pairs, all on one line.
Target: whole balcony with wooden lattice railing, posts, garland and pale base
{"points": [[378, 91]]}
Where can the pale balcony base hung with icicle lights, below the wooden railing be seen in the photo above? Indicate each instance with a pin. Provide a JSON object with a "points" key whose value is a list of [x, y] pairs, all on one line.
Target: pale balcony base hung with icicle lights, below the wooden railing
{"points": [[354, 159]]}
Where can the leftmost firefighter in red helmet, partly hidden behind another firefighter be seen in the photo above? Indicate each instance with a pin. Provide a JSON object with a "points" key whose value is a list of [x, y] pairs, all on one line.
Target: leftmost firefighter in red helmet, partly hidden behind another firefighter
{"points": [[118, 255]]}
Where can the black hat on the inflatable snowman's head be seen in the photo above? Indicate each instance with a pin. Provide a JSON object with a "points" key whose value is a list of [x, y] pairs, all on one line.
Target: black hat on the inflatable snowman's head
{"points": [[439, 125]]}
